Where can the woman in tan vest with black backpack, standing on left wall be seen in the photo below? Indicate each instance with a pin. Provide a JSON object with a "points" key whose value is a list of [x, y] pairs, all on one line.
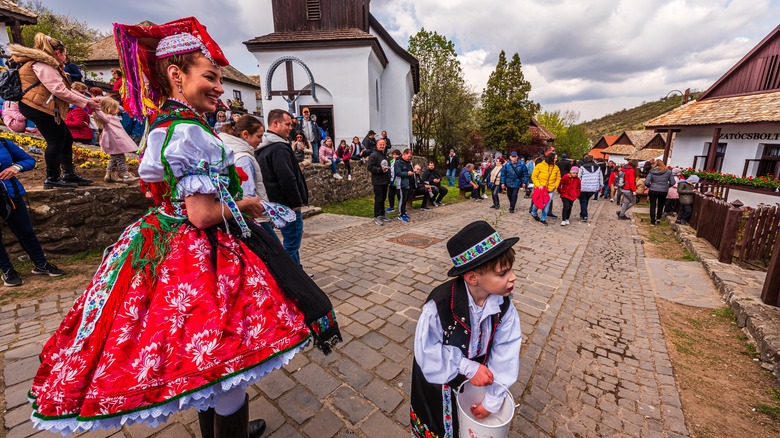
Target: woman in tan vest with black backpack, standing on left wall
{"points": [[46, 105]]}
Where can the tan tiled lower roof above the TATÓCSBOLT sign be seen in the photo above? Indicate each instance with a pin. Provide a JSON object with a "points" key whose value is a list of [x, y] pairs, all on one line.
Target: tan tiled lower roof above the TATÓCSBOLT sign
{"points": [[752, 108]]}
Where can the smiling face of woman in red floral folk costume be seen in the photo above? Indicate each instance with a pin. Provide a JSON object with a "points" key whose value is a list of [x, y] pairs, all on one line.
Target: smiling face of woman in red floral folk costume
{"points": [[202, 85]]}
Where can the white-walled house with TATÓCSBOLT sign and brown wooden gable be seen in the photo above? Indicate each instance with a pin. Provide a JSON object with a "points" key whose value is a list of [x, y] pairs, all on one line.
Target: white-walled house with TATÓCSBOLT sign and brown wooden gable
{"points": [[734, 126]]}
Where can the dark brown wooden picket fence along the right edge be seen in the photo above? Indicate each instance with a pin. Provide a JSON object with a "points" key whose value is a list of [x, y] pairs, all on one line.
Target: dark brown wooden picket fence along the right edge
{"points": [[751, 235]]}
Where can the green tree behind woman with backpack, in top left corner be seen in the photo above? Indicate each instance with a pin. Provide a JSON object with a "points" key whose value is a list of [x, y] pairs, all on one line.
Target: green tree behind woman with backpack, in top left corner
{"points": [[76, 35]]}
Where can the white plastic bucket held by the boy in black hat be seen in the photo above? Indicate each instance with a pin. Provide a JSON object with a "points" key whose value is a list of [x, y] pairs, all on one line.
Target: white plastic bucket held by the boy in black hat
{"points": [[494, 426]]}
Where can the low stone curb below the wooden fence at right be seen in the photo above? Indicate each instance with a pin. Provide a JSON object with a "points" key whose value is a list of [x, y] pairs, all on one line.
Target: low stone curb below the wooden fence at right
{"points": [[741, 288]]}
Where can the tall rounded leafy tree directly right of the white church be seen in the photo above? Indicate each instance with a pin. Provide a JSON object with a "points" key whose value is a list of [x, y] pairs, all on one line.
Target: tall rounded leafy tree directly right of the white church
{"points": [[443, 111]]}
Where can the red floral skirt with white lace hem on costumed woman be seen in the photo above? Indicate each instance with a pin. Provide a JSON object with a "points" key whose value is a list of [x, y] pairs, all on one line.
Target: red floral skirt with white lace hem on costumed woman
{"points": [[170, 320]]}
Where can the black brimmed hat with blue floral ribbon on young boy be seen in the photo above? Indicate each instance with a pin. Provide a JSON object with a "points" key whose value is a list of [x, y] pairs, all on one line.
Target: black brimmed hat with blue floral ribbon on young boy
{"points": [[474, 245]]}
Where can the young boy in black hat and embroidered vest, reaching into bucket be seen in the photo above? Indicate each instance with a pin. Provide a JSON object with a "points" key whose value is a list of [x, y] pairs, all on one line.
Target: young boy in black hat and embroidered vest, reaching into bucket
{"points": [[468, 330]]}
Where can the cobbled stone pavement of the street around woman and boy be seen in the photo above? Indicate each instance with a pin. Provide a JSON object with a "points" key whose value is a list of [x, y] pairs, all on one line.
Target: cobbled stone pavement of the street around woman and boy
{"points": [[594, 361]]}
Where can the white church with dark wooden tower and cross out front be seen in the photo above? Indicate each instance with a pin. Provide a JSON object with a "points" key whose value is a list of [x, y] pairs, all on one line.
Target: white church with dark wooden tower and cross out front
{"points": [[335, 58]]}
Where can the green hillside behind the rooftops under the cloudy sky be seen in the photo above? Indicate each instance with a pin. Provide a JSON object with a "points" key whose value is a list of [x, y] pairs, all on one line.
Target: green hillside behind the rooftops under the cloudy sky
{"points": [[631, 119]]}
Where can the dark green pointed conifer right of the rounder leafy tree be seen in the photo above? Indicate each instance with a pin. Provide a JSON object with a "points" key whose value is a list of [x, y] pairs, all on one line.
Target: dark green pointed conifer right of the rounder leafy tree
{"points": [[506, 109]]}
